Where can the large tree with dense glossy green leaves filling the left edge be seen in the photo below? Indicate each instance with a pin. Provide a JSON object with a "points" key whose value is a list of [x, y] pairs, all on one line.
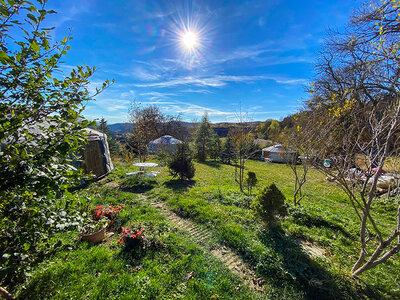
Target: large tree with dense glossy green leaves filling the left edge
{"points": [[40, 129]]}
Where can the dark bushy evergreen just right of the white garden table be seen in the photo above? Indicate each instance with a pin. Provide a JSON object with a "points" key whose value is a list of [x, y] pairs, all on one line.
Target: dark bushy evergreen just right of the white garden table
{"points": [[181, 163]]}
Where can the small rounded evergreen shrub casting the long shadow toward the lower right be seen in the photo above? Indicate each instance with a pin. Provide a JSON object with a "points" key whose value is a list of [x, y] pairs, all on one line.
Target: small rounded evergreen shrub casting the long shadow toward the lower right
{"points": [[269, 203]]}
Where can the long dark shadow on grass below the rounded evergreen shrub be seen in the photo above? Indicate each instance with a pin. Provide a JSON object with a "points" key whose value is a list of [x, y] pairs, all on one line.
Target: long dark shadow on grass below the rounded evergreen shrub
{"points": [[305, 274]]}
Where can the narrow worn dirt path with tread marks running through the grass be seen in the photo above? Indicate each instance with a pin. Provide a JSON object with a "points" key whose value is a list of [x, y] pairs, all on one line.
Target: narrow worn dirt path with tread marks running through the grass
{"points": [[203, 237]]}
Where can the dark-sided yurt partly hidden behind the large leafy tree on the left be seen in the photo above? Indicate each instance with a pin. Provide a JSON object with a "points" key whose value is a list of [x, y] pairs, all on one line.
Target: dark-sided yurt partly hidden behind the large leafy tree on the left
{"points": [[96, 157]]}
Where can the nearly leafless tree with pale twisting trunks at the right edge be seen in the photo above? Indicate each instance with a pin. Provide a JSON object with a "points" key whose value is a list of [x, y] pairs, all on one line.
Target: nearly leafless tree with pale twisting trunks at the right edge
{"points": [[356, 112]]}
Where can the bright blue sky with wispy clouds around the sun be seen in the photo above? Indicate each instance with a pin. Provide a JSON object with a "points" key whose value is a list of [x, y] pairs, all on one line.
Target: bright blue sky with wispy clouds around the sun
{"points": [[250, 56]]}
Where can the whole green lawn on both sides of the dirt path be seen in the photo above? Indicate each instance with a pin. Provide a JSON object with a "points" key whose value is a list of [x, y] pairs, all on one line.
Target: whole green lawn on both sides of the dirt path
{"points": [[179, 267]]}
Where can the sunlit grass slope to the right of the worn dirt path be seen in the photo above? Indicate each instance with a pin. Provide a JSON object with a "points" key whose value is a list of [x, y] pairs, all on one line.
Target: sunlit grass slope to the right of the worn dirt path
{"points": [[325, 218]]}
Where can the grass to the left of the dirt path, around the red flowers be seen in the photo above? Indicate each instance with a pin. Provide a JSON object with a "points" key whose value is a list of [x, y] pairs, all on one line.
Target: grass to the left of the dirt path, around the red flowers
{"points": [[105, 271]]}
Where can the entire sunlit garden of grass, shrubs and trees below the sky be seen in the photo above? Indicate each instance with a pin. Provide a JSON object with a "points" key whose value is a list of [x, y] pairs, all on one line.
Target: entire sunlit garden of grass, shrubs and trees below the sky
{"points": [[223, 226]]}
